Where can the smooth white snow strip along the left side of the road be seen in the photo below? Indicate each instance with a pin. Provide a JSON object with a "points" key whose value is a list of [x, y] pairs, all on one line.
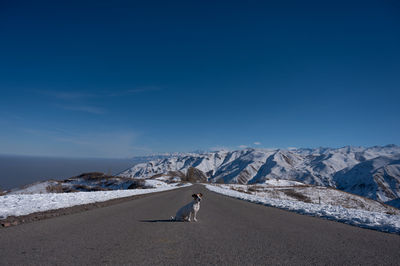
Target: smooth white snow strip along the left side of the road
{"points": [[23, 204]]}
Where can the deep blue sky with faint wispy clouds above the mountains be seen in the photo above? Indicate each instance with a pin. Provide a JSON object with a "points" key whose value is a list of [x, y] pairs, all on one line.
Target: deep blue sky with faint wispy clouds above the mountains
{"points": [[126, 78]]}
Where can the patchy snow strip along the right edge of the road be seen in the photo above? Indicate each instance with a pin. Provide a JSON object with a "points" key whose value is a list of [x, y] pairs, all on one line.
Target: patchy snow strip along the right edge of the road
{"points": [[366, 219]]}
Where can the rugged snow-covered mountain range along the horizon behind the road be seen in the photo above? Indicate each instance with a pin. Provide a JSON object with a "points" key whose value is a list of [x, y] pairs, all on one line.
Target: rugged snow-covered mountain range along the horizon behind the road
{"points": [[372, 172]]}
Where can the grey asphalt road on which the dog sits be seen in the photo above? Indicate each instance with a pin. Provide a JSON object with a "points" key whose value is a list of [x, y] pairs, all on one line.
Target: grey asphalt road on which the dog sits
{"points": [[229, 232]]}
